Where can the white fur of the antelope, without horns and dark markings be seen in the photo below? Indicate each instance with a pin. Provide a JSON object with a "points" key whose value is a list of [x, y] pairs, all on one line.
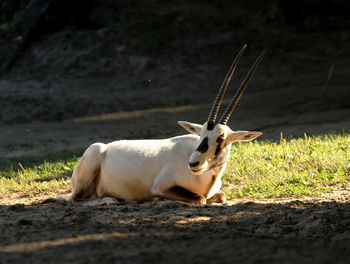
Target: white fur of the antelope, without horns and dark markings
{"points": [[142, 169]]}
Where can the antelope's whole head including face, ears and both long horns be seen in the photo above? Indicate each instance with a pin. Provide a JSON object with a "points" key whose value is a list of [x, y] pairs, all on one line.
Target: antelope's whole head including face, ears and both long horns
{"points": [[216, 137]]}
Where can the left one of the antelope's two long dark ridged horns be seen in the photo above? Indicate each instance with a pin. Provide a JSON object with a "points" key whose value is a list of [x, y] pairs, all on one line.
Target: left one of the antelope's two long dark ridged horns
{"points": [[221, 93]]}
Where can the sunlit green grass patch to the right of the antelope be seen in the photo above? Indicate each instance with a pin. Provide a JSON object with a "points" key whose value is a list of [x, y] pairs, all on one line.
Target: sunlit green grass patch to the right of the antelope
{"points": [[296, 167]]}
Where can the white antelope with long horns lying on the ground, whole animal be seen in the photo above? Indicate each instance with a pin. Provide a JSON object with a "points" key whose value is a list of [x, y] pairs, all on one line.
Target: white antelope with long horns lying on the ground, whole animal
{"points": [[185, 168]]}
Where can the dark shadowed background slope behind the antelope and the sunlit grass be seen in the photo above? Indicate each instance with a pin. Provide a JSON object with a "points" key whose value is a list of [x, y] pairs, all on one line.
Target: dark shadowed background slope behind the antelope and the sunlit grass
{"points": [[74, 61]]}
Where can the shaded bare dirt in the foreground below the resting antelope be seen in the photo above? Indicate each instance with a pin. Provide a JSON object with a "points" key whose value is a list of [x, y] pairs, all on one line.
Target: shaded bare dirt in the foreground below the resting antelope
{"points": [[173, 232]]}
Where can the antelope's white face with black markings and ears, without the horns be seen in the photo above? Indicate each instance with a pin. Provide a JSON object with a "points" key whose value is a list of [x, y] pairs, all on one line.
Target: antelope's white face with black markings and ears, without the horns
{"points": [[214, 145]]}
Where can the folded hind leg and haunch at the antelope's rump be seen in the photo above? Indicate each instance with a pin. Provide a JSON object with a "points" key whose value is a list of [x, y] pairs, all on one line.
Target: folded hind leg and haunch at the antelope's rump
{"points": [[86, 173]]}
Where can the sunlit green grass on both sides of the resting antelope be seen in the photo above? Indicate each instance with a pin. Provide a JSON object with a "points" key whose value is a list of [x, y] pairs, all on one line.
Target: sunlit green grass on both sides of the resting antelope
{"points": [[260, 169]]}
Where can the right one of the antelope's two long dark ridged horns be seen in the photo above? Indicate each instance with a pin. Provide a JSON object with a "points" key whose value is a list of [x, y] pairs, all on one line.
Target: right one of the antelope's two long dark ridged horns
{"points": [[234, 102]]}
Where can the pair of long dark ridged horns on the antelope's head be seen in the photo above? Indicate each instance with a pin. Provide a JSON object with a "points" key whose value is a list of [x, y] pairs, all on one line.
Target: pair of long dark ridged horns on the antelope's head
{"points": [[214, 110]]}
